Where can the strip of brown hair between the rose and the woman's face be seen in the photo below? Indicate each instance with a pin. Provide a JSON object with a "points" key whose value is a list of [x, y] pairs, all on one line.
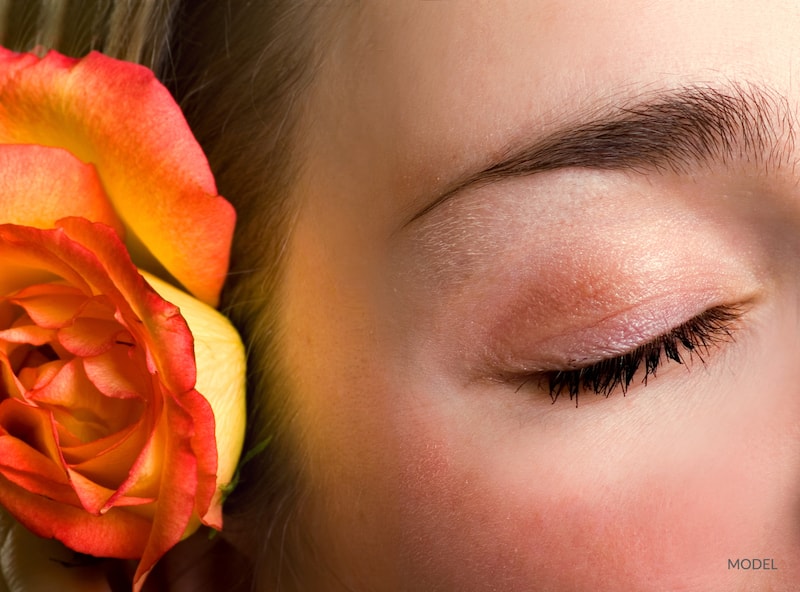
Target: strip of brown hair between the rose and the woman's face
{"points": [[241, 72]]}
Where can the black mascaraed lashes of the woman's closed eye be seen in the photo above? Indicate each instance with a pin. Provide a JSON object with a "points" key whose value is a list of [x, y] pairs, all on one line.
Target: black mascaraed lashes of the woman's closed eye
{"points": [[694, 337]]}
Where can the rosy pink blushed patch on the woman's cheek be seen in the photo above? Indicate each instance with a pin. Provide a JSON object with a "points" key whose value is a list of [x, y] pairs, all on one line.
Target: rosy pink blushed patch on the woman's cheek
{"points": [[481, 525]]}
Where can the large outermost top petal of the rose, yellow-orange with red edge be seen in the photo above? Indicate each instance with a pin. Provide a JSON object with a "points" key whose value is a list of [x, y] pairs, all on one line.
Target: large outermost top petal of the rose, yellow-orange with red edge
{"points": [[118, 117]]}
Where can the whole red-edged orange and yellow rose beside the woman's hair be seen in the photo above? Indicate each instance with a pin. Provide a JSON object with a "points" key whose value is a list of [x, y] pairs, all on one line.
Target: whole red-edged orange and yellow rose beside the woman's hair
{"points": [[120, 422]]}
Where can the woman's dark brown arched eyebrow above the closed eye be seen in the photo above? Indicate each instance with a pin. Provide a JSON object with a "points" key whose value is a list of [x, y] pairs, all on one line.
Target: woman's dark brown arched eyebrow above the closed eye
{"points": [[674, 130]]}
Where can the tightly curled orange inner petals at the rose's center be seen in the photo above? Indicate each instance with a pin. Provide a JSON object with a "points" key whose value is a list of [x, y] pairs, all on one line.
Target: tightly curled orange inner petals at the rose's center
{"points": [[57, 353]]}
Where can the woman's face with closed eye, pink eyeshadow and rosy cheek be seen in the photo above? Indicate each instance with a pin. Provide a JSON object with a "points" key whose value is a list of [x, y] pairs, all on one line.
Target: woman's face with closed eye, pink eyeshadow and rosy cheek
{"points": [[646, 173]]}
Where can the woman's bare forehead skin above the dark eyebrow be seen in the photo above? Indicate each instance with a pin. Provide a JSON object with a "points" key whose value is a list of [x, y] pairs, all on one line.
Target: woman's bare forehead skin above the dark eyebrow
{"points": [[420, 89]]}
